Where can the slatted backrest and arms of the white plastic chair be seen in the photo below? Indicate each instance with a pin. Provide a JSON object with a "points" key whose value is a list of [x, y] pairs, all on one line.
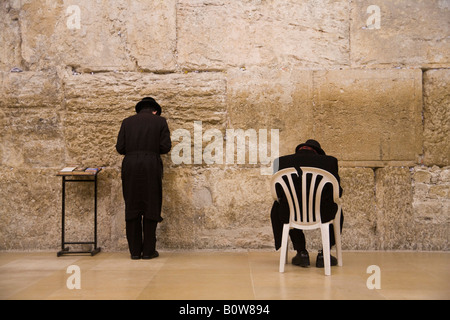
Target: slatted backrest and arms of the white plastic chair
{"points": [[311, 182]]}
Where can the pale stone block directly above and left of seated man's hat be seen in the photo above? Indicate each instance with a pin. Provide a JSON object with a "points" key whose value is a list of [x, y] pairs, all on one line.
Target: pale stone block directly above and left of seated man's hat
{"points": [[280, 99]]}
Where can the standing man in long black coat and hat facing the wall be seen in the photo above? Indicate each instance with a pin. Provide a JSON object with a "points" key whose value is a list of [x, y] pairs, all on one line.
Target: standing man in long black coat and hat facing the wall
{"points": [[142, 138]]}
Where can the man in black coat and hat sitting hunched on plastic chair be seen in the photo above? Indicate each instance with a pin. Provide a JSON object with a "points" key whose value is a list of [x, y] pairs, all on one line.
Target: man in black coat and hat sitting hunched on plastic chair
{"points": [[308, 154]]}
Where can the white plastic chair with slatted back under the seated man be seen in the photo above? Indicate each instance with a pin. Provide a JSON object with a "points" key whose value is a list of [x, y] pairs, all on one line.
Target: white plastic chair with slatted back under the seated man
{"points": [[306, 219]]}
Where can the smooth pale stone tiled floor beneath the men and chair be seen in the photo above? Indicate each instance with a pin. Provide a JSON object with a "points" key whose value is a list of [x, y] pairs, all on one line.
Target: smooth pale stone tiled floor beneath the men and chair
{"points": [[249, 275]]}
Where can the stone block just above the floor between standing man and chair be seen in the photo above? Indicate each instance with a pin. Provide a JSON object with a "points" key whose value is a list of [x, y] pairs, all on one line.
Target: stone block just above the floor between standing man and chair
{"points": [[205, 208]]}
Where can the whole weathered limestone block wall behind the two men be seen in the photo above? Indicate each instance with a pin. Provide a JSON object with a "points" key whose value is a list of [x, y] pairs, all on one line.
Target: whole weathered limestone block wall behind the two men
{"points": [[369, 79]]}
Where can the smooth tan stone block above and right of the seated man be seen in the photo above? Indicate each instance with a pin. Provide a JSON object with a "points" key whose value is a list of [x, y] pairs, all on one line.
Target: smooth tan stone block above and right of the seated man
{"points": [[369, 117]]}
